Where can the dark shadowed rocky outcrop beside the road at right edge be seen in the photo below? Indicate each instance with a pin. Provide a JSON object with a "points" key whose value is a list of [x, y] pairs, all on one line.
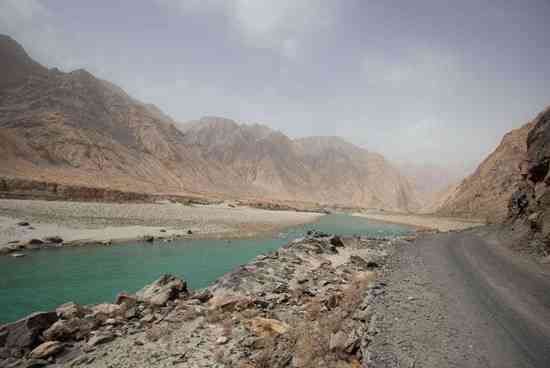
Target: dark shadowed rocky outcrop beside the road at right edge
{"points": [[529, 206]]}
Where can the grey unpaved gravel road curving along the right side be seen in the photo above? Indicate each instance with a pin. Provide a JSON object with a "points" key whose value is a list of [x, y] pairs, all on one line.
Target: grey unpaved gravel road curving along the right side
{"points": [[463, 300]]}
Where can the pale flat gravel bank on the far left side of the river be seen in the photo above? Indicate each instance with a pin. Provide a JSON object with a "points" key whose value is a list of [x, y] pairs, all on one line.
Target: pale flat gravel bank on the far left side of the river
{"points": [[74, 223]]}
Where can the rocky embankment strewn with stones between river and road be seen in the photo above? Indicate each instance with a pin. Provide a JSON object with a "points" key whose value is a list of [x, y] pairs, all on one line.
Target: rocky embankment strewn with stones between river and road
{"points": [[306, 305]]}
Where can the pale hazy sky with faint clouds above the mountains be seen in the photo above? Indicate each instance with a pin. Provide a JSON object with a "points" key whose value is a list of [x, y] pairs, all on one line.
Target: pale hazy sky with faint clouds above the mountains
{"points": [[423, 80]]}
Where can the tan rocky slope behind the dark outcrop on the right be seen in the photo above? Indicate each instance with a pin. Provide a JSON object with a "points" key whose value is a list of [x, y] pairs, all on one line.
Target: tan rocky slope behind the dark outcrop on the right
{"points": [[485, 193]]}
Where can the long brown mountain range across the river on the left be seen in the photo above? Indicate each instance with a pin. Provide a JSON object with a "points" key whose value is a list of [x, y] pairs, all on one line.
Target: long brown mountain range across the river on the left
{"points": [[76, 129]]}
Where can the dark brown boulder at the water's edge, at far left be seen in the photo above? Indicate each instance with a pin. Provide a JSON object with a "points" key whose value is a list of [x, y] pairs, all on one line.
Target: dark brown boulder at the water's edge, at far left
{"points": [[25, 333]]}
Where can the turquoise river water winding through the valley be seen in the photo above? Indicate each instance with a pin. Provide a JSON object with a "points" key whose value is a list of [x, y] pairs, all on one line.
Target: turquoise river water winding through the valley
{"points": [[47, 278]]}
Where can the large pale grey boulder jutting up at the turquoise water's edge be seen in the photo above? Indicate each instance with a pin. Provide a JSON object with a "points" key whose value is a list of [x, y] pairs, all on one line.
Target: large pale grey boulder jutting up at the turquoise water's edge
{"points": [[166, 288]]}
